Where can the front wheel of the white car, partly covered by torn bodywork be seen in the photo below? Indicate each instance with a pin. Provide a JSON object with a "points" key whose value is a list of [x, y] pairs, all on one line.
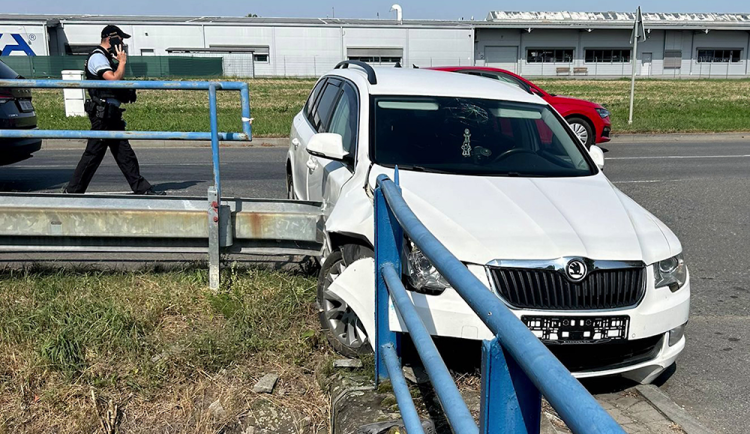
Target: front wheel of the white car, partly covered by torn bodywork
{"points": [[341, 325]]}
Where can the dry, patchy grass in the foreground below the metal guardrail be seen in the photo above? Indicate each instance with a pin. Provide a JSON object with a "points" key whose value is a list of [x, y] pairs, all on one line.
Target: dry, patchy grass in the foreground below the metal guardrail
{"points": [[160, 345]]}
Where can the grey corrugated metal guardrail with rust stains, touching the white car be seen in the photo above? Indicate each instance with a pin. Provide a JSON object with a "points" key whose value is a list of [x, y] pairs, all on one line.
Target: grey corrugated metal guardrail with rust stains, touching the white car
{"points": [[113, 224]]}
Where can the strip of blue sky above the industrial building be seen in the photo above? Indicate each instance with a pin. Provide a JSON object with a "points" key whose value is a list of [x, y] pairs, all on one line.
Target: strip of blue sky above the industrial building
{"points": [[413, 9]]}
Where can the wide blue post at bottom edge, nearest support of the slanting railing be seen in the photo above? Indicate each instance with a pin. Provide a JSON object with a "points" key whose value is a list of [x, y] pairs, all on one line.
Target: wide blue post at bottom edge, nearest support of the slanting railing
{"points": [[510, 402]]}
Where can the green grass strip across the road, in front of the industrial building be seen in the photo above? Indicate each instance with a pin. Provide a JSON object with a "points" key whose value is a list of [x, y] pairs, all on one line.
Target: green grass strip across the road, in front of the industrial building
{"points": [[661, 106]]}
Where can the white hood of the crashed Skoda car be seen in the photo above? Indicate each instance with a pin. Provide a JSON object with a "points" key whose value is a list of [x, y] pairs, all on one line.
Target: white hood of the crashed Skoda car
{"points": [[484, 218]]}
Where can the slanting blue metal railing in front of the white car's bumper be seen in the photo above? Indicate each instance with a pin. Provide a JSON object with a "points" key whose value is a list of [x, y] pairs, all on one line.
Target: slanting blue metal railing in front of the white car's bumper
{"points": [[517, 369]]}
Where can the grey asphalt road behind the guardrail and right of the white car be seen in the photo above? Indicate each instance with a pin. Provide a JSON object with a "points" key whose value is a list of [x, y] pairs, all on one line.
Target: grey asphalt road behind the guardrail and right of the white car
{"points": [[701, 190]]}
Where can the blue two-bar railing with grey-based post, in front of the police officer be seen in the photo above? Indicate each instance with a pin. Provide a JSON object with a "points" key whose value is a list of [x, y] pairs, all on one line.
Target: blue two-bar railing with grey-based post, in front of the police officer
{"points": [[214, 192]]}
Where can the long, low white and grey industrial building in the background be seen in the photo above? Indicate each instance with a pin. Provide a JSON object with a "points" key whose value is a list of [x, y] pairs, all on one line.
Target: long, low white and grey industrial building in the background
{"points": [[533, 44]]}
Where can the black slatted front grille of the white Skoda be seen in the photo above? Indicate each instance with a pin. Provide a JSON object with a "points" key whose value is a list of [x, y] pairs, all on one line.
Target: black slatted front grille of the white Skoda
{"points": [[551, 290]]}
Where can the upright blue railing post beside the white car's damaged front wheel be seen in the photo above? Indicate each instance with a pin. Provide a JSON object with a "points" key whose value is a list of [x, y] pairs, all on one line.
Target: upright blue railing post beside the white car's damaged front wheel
{"points": [[388, 242]]}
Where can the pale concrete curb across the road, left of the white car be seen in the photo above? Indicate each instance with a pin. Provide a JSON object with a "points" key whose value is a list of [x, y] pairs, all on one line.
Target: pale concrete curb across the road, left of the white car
{"points": [[258, 142]]}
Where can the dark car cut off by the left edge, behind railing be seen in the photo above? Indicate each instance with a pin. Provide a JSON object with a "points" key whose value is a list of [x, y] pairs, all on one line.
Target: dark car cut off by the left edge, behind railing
{"points": [[16, 112]]}
